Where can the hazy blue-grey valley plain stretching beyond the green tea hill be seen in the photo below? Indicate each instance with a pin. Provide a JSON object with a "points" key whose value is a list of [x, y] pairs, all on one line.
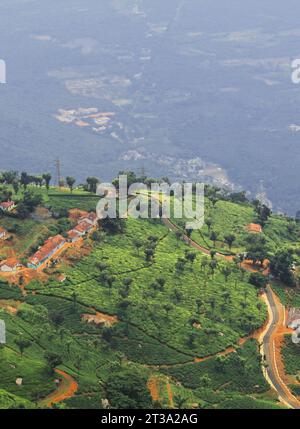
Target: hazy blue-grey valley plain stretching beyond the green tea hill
{"points": [[186, 88]]}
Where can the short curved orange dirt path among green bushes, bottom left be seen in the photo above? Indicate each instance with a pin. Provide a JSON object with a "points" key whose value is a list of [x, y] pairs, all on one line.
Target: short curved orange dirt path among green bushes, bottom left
{"points": [[66, 389]]}
